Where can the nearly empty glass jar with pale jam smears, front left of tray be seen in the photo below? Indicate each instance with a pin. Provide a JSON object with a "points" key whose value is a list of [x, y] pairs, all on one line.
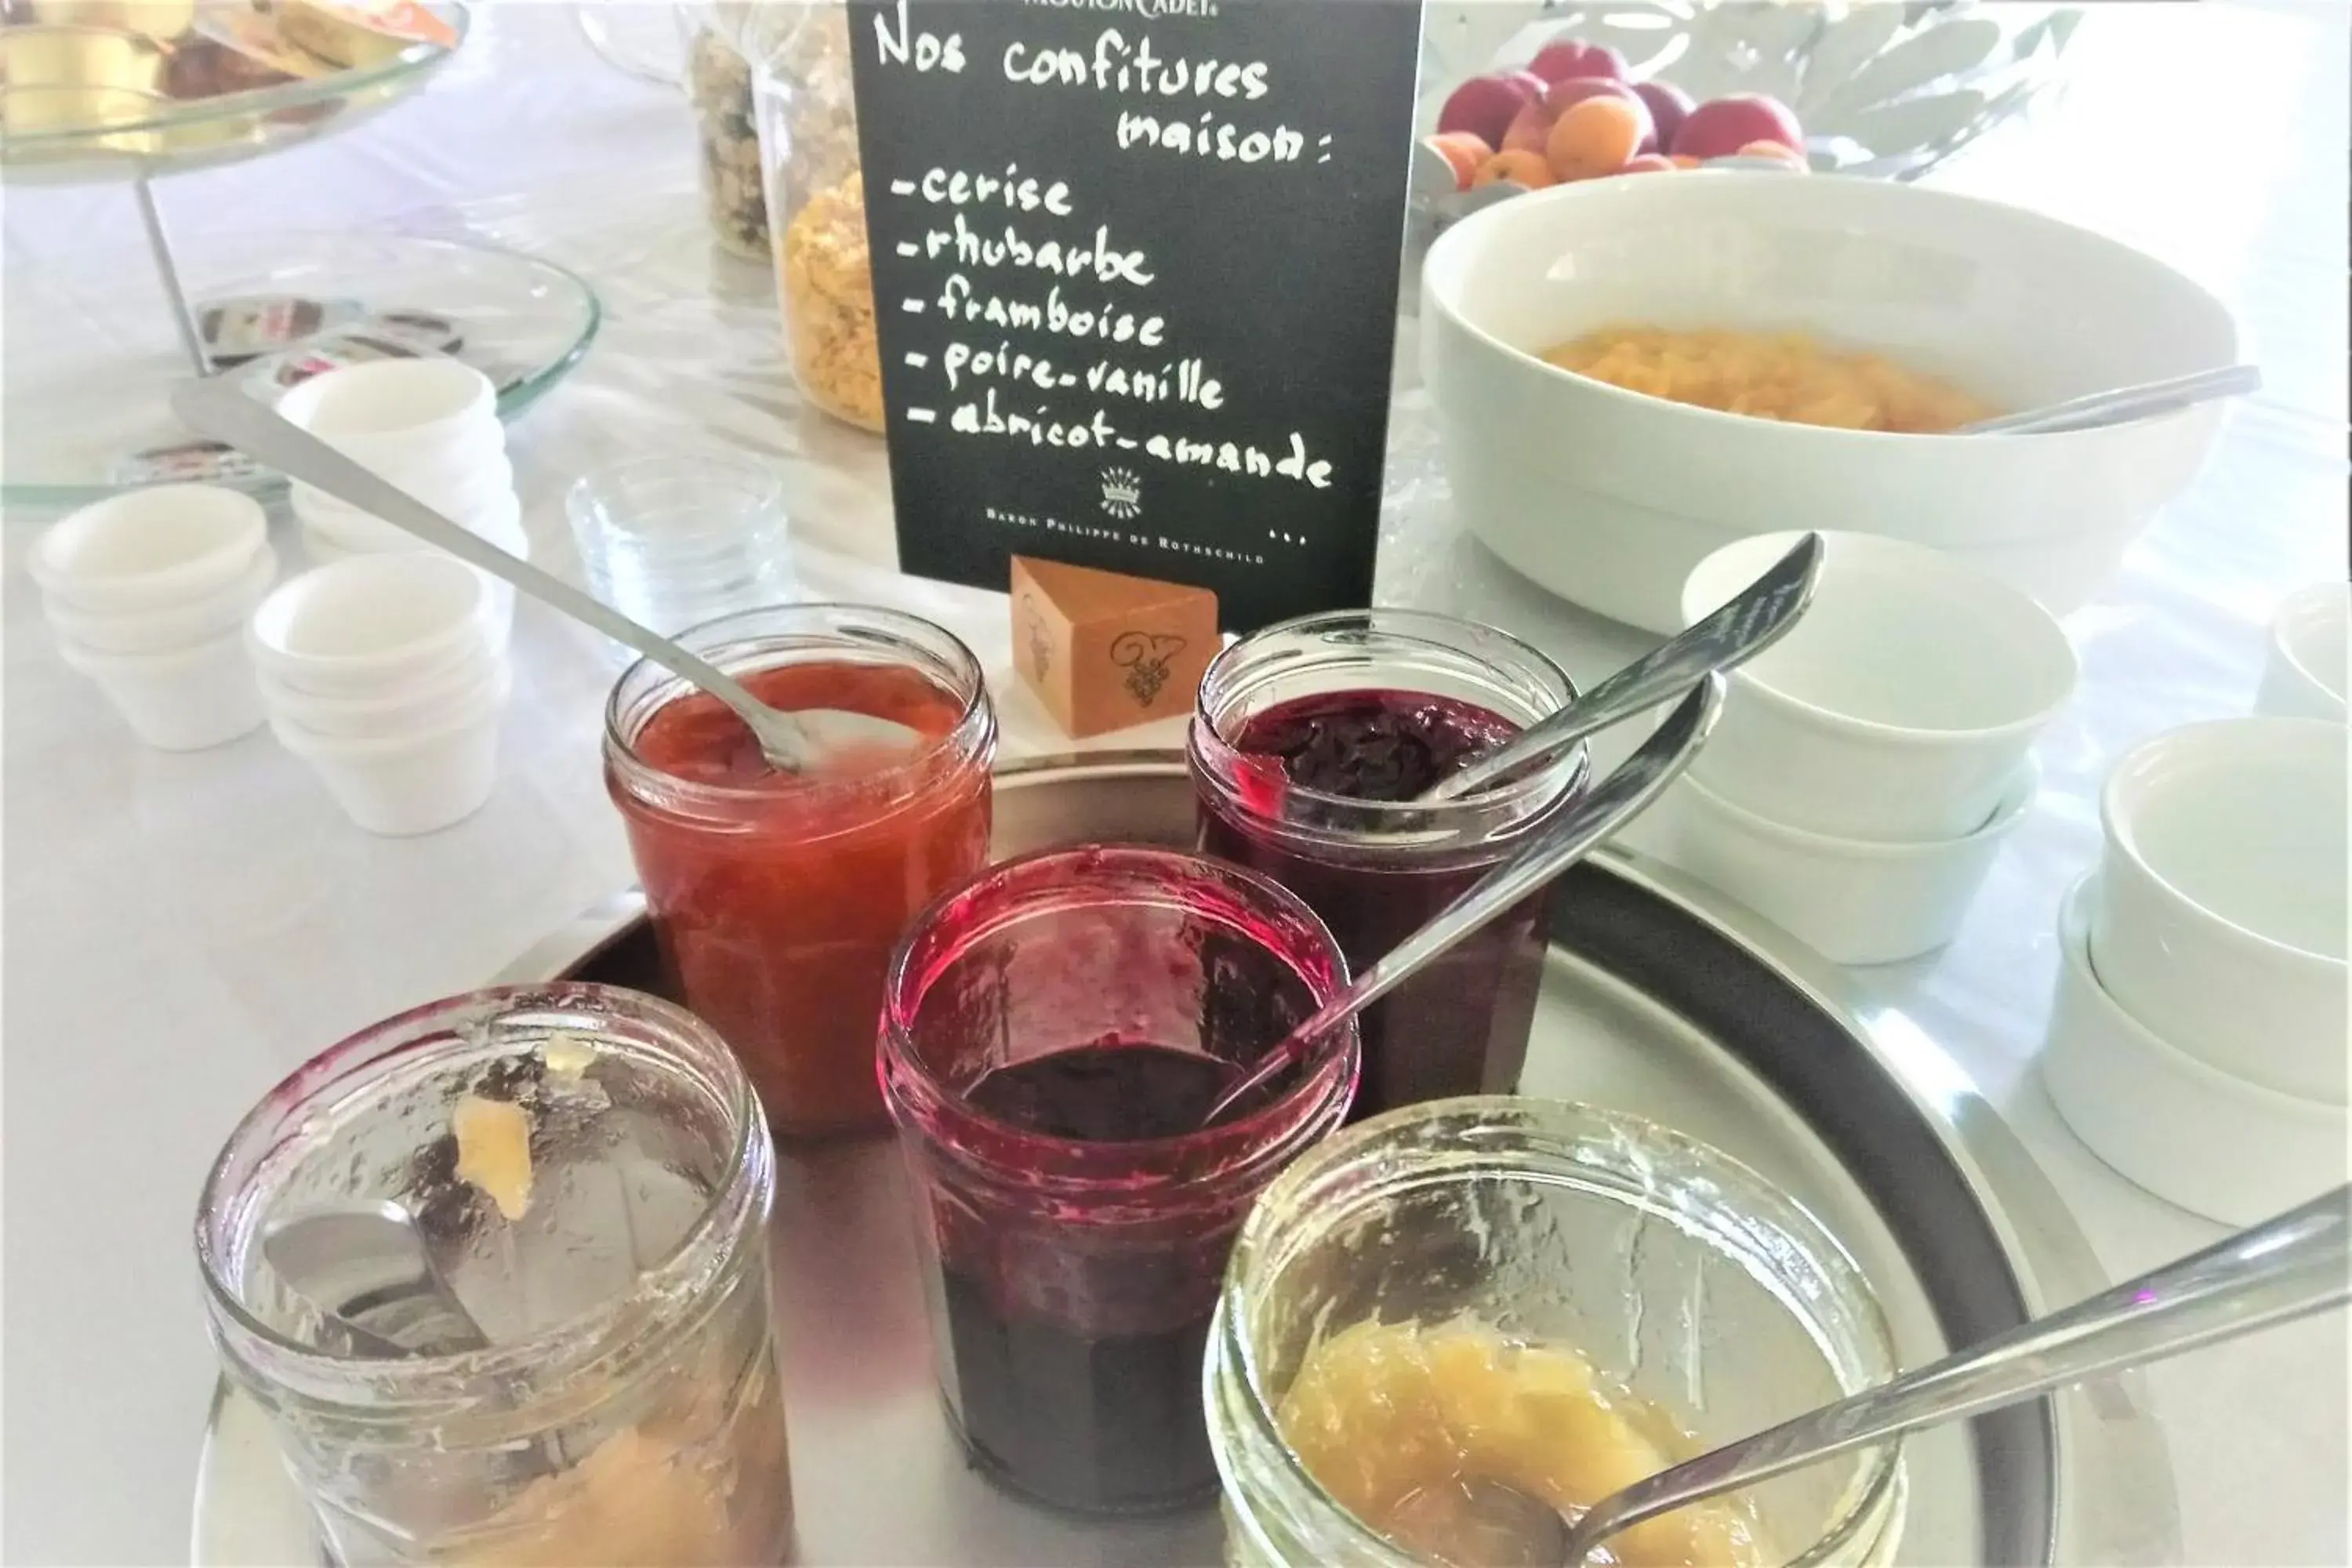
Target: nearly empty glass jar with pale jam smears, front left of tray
{"points": [[592, 1174]]}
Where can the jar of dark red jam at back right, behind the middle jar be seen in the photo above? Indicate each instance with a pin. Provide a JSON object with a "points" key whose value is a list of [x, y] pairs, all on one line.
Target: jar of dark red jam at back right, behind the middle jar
{"points": [[1309, 744]]}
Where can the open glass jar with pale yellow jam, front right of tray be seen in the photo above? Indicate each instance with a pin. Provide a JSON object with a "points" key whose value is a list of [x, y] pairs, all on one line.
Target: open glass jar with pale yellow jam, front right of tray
{"points": [[1697, 1301]]}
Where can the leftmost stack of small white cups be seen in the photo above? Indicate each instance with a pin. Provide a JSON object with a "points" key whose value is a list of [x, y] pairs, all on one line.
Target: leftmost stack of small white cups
{"points": [[149, 594]]}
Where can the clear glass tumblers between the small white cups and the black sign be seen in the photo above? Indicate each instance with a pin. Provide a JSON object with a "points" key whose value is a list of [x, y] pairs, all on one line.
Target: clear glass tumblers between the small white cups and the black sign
{"points": [[683, 540]]}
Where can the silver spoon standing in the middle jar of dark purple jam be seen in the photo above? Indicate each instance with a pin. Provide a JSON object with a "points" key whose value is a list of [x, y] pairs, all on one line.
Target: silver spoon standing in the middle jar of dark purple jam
{"points": [[1608, 808]]}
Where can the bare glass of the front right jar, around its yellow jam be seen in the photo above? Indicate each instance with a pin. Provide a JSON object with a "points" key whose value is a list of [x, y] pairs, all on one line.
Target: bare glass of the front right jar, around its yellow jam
{"points": [[1681, 1275]]}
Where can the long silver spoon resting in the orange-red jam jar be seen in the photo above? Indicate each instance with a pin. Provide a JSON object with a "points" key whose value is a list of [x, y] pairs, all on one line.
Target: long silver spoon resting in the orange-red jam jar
{"points": [[791, 742]]}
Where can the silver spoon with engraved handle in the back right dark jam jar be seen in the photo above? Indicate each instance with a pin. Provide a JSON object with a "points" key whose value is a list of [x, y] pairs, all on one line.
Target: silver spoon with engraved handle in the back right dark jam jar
{"points": [[1732, 636]]}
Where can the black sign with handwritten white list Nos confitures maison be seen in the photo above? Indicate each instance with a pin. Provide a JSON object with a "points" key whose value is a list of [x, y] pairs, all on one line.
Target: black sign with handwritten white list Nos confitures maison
{"points": [[1137, 283]]}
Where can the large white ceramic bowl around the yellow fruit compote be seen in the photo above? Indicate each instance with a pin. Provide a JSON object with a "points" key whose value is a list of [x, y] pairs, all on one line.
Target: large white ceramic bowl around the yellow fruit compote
{"points": [[1610, 497]]}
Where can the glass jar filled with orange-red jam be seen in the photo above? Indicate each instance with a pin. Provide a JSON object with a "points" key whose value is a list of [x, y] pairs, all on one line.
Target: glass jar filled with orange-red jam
{"points": [[777, 899]]}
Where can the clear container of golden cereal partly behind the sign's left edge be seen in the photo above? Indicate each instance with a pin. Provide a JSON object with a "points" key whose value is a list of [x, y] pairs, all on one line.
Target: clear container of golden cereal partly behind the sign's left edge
{"points": [[817, 206]]}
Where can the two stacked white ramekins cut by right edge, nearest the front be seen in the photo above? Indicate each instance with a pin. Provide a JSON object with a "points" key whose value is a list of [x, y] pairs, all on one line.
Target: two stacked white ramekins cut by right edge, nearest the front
{"points": [[2200, 1033]]}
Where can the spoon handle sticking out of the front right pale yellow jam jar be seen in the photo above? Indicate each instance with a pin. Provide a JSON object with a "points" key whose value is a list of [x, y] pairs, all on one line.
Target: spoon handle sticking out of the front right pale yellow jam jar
{"points": [[2276, 1273]]}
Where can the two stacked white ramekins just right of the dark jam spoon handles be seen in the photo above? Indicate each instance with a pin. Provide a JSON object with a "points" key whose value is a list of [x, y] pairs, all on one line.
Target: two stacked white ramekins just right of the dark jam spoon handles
{"points": [[1869, 765]]}
